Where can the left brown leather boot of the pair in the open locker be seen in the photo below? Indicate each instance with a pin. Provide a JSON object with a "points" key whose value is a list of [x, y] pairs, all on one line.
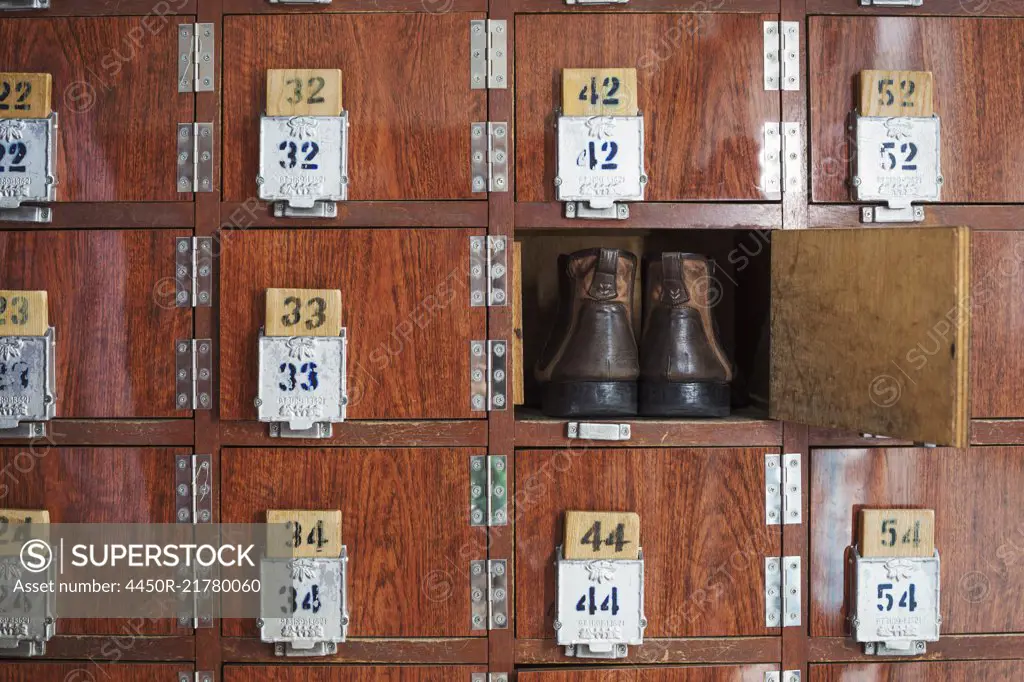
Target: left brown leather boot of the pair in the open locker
{"points": [[589, 366]]}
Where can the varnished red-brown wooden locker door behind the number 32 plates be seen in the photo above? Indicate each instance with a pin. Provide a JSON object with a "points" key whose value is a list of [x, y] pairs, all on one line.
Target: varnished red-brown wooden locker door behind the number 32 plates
{"points": [[409, 118]]}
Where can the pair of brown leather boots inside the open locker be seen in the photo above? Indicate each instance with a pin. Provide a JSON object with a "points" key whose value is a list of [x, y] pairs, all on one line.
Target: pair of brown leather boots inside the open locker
{"points": [[591, 366]]}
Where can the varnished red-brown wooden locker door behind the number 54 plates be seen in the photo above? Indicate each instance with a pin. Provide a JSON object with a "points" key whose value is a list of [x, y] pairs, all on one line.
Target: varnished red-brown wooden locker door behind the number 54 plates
{"points": [[978, 529]]}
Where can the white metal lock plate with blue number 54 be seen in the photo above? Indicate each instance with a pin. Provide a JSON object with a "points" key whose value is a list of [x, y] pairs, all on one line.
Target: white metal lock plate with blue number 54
{"points": [[897, 604]]}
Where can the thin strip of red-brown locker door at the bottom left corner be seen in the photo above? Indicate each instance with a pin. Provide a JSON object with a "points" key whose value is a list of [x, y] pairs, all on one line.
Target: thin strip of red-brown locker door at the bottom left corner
{"points": [[36, 671]]}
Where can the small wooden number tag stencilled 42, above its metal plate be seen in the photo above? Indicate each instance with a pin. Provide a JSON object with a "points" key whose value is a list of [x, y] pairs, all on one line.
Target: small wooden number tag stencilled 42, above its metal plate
{"points": [[600, 92]]}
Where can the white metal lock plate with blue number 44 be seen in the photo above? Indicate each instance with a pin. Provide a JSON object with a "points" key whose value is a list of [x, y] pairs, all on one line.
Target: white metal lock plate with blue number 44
{"points": [[601, 607]]}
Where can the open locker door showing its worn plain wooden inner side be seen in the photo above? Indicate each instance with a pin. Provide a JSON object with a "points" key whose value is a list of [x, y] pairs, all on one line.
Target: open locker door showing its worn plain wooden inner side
{"points": [[870, 331]]}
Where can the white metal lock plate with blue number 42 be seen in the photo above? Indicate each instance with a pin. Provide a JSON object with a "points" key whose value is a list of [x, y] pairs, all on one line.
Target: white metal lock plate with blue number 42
{"points": [[601, 160]]}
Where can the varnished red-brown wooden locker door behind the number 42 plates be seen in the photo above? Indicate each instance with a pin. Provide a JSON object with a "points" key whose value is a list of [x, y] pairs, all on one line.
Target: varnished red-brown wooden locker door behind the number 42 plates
{"points": [[701, 91]]}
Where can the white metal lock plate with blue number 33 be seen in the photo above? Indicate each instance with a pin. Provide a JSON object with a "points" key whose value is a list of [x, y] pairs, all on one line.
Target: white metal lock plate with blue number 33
{"points": [[303, 382]]}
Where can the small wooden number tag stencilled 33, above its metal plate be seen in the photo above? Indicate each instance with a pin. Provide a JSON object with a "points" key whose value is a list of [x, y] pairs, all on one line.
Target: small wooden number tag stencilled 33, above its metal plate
{"points": [[304, 313]]}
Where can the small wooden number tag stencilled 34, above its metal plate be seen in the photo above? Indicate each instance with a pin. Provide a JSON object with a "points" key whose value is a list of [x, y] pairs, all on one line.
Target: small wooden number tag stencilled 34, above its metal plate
{"points": [[304, 533]]}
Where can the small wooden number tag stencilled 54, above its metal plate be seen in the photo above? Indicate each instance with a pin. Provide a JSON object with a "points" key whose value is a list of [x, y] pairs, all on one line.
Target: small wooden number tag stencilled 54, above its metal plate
{"points": [[898, 533]]}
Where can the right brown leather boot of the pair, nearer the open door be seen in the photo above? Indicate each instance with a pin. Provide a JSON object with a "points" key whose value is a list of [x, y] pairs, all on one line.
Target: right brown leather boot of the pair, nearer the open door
{"points": [[684, 370]]}
